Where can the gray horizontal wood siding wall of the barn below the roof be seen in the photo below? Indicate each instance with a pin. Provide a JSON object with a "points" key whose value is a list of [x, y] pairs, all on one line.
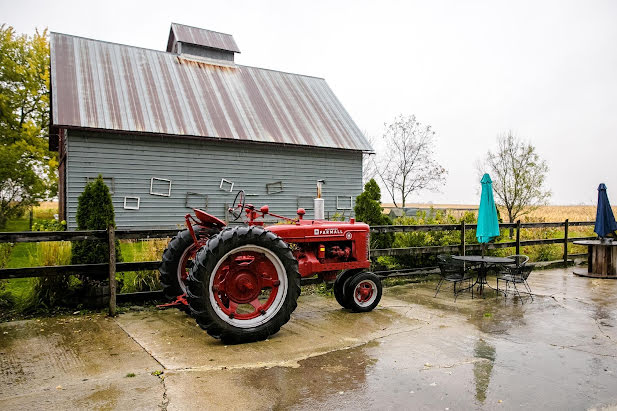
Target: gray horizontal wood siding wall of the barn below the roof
{"points": [[198, 166]]}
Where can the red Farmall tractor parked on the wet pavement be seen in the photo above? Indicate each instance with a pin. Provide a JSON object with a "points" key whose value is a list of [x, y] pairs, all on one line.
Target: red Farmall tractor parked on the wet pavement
{"points": [[242, 283]]}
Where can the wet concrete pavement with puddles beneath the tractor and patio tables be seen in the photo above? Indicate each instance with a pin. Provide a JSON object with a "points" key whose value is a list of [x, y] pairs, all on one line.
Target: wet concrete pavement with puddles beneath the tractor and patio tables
{"points": [[414, 352]]}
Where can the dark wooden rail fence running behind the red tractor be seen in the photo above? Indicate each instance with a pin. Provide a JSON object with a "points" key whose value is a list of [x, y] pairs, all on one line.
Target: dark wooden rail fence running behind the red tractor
{"points": [[112, 234]]}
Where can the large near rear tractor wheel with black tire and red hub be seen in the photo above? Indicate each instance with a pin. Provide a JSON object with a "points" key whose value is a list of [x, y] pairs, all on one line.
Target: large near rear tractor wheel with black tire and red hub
{"points": [[244, 285]]}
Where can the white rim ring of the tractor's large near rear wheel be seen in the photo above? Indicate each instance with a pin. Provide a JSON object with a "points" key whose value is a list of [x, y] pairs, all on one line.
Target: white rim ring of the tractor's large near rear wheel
{"points": [[276, 304]]}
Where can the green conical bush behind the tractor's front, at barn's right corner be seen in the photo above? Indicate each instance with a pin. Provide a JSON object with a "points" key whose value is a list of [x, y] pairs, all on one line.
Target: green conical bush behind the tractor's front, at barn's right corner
{"points": [[368, 210]]}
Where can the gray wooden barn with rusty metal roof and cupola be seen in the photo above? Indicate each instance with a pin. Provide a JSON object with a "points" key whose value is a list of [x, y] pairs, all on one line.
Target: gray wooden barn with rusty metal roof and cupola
{"points": [[188, 127]]}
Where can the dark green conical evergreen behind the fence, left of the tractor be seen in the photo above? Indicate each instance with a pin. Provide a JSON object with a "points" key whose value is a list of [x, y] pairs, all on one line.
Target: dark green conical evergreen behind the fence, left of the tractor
{"points": [[95, 211]]}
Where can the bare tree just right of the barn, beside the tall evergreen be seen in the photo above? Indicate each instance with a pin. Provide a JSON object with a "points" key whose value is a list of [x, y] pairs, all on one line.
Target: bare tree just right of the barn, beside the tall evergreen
{"points": [[407, 164]]}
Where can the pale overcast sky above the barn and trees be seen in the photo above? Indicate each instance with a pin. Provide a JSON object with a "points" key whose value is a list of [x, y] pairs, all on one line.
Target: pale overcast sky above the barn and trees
{"points": [[547, 70]]}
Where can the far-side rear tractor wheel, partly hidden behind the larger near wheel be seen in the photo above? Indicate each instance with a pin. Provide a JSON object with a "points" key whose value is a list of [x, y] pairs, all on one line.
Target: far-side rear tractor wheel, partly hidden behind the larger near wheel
{"points": [[178, 260]]}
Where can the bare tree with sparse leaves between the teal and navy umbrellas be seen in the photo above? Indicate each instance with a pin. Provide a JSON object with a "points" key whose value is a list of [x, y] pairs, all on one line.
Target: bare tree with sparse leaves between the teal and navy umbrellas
{"points": [[518, 175]]}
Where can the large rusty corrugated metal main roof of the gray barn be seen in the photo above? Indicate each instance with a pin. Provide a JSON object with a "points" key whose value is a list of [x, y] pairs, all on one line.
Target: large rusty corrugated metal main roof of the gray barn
{"points": [[106, 86]]}
